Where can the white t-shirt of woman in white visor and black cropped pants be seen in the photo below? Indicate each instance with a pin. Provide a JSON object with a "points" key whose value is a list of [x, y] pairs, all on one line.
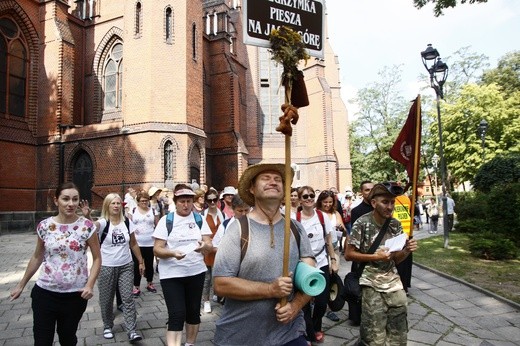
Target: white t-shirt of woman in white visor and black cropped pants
{"points": [[185, 232]]}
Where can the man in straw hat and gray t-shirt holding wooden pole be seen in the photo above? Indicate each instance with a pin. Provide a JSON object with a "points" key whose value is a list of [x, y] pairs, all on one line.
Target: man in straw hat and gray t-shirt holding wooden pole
{"points": [[253, 285]]}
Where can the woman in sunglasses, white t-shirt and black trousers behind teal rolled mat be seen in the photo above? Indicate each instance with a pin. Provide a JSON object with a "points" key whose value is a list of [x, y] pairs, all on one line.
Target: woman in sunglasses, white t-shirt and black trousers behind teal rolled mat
{"points": [[319, 231]]}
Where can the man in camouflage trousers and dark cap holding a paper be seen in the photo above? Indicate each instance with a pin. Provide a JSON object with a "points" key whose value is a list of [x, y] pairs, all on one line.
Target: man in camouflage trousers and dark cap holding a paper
{"points": [[384, 301]]}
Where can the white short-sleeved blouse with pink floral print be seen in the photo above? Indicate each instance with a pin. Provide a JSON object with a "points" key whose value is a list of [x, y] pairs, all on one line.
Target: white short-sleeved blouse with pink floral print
{"points": [[64, 268]]}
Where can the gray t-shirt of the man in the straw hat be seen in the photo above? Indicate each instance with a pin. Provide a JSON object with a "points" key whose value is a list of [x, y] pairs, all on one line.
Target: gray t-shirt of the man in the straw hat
{"points": [[254, 322]]}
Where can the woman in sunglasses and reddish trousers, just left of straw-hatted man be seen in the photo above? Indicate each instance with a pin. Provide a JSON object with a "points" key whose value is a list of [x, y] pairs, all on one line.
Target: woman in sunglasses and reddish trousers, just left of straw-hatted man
{"points": [[214, 217]]}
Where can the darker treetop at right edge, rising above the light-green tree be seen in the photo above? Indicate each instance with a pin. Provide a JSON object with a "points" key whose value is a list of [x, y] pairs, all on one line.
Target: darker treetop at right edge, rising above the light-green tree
{"points": [[506, 74]]}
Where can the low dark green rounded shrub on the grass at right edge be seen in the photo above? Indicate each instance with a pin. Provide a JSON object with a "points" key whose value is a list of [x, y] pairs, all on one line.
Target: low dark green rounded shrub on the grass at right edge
{"points": [[489, 246]]}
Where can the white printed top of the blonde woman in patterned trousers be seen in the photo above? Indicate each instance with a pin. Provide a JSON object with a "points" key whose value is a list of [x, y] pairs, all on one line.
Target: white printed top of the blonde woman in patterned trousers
{"points": [[115, 250]]}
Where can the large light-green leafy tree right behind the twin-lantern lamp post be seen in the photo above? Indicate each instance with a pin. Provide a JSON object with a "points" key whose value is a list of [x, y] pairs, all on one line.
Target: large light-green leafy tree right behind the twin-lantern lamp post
{"points": [[462, 144]]}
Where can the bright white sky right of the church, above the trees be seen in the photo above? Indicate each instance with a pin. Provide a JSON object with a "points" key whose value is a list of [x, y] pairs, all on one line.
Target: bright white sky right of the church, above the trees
{"points": [[368, 35]]}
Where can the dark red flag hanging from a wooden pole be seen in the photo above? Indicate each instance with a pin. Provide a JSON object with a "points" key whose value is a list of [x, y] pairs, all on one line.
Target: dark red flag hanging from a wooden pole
{"points": [[407, 147]]}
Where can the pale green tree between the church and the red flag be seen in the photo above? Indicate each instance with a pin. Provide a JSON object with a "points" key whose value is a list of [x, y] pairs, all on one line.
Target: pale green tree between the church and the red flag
{"points": [[380, 118]]}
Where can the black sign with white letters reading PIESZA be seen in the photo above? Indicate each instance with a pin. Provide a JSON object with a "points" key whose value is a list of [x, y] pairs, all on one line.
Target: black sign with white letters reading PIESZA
{"points": [[303, 16]]}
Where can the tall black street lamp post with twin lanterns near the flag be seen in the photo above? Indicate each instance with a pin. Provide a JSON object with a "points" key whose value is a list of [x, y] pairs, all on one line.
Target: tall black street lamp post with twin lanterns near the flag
{"points": [[438, 71]]}
